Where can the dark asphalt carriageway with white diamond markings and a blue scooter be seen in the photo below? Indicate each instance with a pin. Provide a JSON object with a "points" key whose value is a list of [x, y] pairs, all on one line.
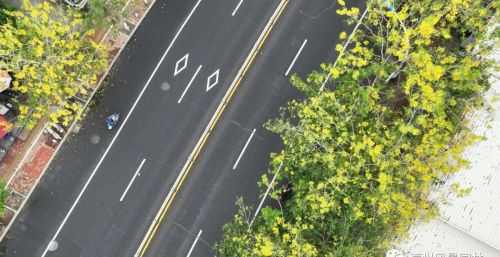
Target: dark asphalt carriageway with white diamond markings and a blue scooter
{"points": [[159, 130]]}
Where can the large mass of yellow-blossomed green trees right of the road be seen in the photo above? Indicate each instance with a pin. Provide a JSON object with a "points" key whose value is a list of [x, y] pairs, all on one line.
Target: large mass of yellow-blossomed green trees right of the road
{"points": [[364, 154]]}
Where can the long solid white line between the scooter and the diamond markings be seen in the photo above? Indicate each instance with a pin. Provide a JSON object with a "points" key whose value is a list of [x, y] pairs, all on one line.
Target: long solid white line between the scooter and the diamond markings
{"points": [[119, 130]]}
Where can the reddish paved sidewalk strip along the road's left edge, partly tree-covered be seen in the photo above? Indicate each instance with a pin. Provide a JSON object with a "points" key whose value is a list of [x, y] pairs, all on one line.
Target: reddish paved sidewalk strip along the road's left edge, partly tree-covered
{"points": [[29, 156]]}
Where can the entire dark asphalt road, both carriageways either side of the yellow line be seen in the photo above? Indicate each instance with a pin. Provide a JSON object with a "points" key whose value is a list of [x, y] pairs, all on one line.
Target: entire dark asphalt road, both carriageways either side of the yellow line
{"points": [[133, 172]]}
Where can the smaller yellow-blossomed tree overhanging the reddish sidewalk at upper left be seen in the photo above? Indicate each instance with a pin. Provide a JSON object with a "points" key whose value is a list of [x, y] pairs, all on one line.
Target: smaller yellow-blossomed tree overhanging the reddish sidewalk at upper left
{"points": [[50, 59]]}
